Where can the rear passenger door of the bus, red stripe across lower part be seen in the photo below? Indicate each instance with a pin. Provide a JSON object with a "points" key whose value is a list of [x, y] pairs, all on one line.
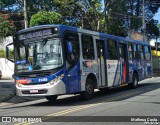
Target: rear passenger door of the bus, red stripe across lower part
{"points": [[123, 63]]}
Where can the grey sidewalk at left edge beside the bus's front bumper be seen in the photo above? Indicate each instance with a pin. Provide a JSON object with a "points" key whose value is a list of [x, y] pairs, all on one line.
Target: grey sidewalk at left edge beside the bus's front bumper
{"points": [[8, 94]]}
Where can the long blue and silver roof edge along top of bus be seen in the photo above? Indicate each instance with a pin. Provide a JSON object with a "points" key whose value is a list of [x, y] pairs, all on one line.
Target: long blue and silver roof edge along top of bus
{"points": [[70, 28]]}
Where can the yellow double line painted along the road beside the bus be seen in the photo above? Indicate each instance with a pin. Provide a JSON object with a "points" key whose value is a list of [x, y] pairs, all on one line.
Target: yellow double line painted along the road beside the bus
{"points": [[67, 111]]}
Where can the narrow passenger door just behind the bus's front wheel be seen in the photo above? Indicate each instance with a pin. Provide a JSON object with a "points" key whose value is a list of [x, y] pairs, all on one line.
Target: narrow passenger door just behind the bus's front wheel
{"points": [[101, 62]]}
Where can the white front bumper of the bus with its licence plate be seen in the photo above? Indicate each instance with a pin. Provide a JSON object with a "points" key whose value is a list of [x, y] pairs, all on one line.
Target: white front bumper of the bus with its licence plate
{"points": [[41, 90]]}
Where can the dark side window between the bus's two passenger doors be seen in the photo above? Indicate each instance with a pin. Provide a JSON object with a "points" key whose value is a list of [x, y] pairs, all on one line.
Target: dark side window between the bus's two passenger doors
{"points": [[112, 49]]}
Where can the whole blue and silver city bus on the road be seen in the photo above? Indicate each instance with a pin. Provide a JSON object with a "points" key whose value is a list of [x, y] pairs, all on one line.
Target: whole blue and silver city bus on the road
{"points": [[52, 60]]}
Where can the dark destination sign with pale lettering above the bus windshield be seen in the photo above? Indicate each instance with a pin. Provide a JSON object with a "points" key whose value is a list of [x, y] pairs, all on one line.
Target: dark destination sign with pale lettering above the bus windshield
{"points": [[35, 34]]}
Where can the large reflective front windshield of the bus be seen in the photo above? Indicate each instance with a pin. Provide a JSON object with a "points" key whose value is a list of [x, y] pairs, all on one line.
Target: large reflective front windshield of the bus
{"points": [[38, 55]]}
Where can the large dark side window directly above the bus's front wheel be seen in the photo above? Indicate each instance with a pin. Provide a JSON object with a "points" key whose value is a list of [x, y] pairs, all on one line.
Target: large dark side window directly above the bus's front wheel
{"points": [[87, 47]]}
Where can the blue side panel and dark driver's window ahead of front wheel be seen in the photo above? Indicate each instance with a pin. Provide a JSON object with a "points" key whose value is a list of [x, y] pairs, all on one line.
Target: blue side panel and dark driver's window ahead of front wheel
{"points": [[72, 62]]}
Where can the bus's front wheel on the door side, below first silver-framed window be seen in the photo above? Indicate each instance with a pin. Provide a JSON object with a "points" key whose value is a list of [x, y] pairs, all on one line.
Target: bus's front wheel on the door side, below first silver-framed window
{"points": [[89, 90]]}
